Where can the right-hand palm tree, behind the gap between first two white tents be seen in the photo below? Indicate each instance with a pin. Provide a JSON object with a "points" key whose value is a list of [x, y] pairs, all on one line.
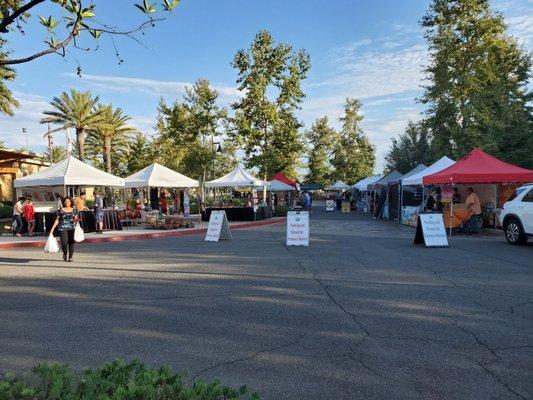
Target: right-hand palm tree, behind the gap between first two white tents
{"points": [[110, 138]]}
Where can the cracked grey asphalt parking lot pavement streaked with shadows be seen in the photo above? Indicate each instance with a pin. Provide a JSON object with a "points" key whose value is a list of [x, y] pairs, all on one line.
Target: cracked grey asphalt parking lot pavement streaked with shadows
{"points": [[360, 314]]}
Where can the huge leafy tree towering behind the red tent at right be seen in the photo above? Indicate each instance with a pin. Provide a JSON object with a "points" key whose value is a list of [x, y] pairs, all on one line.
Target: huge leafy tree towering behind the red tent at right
{"points": [[477, 93]]}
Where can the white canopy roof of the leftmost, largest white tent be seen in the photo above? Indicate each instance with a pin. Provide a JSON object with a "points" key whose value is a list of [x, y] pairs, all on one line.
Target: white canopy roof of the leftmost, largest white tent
{"points": [[69, 172]]}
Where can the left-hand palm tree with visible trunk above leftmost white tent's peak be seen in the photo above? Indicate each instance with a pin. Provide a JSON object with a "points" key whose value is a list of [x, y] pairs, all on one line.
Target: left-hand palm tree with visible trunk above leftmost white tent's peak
{"points": [[76, 110]]}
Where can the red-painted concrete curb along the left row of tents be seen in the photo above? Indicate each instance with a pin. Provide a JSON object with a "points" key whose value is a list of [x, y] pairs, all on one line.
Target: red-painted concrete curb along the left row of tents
{"points": [[143, 236]]}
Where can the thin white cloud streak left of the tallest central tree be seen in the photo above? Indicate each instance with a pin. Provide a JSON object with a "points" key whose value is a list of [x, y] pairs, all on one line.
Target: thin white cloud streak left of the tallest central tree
{"points": [[121, 84]]}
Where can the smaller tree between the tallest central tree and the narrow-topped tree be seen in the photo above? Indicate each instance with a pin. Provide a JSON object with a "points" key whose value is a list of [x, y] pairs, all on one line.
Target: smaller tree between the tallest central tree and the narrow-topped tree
{"points": [[321, 138]]}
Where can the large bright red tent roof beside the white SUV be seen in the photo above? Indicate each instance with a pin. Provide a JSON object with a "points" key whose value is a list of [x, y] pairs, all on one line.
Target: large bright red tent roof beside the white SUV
{"points": [[480, 167]]}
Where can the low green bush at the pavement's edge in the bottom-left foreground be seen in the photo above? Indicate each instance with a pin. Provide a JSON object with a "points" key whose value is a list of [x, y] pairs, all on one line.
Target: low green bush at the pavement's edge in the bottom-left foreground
{"points": [[116, 380]]}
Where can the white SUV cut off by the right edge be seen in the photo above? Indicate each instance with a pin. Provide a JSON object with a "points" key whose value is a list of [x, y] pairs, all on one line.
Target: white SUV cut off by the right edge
{"points": [[516, 216]]}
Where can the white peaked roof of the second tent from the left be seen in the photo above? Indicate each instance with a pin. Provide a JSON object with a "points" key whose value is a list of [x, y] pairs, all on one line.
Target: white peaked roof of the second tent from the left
{"points": [[157, 175]]}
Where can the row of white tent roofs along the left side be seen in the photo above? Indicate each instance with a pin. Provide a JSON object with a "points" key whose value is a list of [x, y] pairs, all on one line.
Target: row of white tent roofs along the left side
{"points": [[73, 172]]}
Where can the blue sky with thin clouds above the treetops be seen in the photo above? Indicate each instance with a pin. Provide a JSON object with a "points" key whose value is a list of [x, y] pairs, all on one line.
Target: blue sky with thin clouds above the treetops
{"points": [[372, 50]]}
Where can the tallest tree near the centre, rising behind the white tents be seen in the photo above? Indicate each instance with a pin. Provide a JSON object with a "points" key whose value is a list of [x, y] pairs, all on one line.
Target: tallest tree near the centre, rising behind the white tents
{"points": [[265, 126]]}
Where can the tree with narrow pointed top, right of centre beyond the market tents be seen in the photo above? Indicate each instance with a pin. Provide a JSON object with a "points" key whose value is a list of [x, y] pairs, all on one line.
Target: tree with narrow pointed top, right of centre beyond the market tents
{"points": [[353, 155]]}
